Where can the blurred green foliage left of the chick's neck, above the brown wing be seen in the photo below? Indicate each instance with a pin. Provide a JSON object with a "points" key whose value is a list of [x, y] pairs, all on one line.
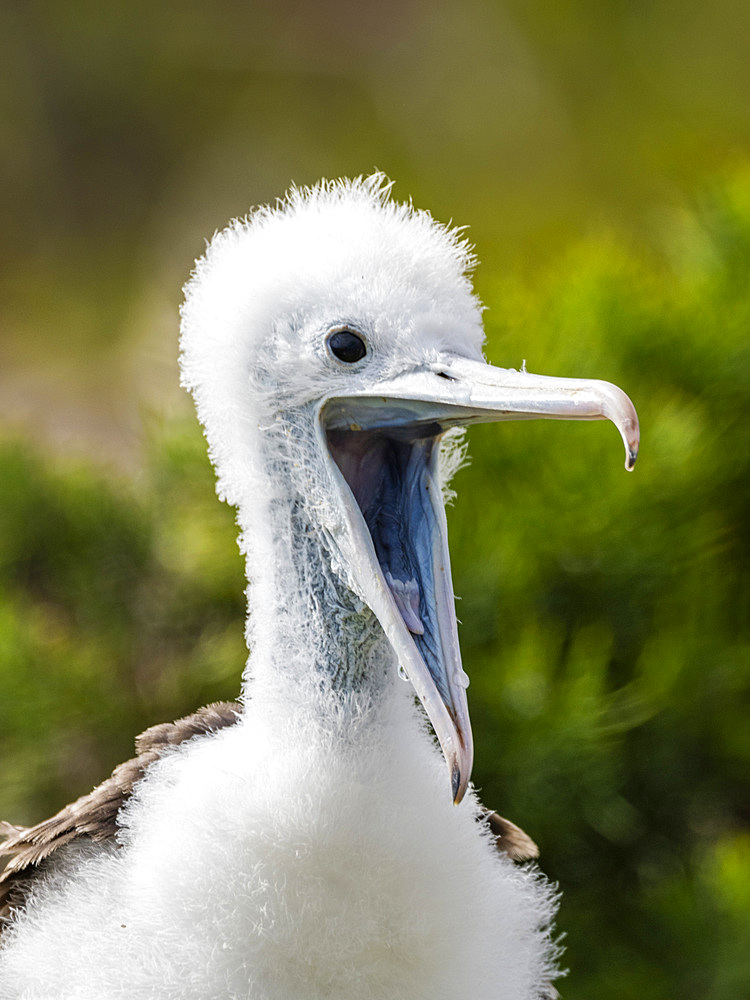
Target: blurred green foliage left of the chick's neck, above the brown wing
{"points": [[119, 607]]}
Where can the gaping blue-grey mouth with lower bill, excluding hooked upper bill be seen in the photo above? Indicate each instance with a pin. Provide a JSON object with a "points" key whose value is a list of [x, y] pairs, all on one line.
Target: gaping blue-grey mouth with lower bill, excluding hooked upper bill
{"points": [[386, 451]]}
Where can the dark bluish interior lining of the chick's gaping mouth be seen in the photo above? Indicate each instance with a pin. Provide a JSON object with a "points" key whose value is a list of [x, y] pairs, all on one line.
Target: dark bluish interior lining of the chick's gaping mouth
{"points": [[391, 476]]}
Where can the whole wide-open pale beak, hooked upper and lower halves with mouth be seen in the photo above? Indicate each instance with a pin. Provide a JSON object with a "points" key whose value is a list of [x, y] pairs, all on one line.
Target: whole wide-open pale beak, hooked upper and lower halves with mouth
{"points": [[384, 442]]}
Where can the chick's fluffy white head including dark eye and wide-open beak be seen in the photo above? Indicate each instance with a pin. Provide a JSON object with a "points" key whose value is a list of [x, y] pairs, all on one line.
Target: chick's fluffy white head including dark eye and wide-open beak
{"points": [[342, 327]]}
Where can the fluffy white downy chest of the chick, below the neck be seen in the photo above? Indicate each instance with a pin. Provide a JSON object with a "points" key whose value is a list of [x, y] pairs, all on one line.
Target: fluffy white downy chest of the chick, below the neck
{"points": [[259, 866]]}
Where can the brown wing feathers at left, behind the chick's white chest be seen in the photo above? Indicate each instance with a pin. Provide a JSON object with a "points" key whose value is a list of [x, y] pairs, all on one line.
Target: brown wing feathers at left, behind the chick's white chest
{"points": [[95, 815]]}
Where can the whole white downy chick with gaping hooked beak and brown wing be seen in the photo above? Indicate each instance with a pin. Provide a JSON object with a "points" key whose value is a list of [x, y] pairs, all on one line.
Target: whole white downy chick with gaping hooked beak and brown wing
{"points": [[315, 847]]}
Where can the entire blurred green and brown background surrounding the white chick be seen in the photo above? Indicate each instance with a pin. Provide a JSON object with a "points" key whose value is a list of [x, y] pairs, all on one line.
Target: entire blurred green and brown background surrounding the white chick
{"points": [[600, 152]]}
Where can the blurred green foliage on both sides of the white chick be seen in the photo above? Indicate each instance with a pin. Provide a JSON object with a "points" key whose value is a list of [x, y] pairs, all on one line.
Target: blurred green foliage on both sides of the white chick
{"points": [[606, 617]]}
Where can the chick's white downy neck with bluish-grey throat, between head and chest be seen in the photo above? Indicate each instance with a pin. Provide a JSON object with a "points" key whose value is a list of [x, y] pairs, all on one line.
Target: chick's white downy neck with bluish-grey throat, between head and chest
{"points": [[307, 629]]}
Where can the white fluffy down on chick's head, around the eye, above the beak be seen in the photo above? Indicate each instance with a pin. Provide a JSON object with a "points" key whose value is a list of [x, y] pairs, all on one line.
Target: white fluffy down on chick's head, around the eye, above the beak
{"points": [[270, 286]]}
